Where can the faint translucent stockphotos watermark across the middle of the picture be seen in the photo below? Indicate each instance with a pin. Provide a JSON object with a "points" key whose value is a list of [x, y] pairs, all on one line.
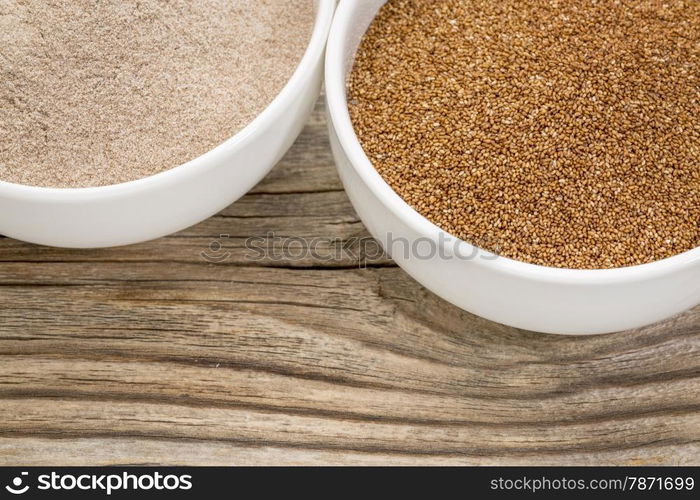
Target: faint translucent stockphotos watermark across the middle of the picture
{"points": [[360, 251]]}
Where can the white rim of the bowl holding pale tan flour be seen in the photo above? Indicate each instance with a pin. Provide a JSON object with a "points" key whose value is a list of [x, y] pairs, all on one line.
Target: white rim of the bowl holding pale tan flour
{"points": [[314, 50]]}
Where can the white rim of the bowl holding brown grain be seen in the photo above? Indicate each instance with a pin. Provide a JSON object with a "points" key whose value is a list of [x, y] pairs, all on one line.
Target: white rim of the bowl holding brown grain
{"points": [[339, 119]]}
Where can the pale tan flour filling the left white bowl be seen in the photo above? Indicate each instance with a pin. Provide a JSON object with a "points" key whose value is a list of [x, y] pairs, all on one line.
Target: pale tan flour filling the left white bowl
{"points": [[101, 92]]}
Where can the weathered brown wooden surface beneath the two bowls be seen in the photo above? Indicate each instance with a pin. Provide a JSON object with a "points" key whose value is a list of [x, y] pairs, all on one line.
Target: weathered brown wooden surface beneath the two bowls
{"points": [[187, 350]]}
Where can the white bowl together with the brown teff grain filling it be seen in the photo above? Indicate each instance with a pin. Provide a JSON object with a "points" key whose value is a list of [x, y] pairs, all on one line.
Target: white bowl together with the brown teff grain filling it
{"points": [[535, 162]]}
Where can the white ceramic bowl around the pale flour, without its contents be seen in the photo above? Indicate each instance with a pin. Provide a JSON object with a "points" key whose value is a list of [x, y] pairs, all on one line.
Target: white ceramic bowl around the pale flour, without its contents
{"points": [[162, 204]]}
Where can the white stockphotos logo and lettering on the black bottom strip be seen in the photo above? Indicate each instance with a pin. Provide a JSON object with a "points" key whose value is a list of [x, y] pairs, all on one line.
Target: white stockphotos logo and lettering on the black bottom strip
{"points": [[99, 483]]}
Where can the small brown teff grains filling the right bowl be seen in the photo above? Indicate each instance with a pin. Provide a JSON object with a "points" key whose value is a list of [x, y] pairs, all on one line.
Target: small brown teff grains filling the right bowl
{"points": [[564, 133]]}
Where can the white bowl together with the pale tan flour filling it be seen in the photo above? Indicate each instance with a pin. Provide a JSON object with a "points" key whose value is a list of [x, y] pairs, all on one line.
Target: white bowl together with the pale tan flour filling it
{"points": [[123, 121]]}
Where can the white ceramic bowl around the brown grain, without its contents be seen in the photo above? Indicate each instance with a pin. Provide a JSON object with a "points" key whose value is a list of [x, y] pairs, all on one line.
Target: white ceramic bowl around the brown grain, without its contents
{"points": [[507, 291]]}
